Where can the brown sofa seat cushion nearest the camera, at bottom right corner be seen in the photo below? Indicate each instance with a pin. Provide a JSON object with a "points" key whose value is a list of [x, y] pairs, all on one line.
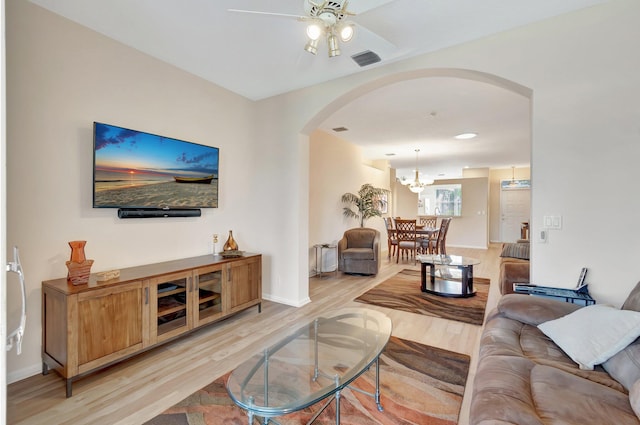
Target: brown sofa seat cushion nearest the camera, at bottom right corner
{"points": [[563, 398]]}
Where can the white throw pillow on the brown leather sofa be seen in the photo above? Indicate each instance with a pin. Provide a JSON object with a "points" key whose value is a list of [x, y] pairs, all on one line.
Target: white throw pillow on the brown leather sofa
{"points": [[593, 334]]}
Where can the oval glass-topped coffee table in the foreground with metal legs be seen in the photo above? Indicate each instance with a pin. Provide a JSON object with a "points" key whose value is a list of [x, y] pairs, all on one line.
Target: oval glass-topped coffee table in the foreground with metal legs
{"points": [[311, 364]]}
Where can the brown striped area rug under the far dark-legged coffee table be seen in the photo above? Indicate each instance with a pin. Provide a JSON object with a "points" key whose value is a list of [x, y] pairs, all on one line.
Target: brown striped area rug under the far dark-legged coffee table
{"points": [[402, 292]]}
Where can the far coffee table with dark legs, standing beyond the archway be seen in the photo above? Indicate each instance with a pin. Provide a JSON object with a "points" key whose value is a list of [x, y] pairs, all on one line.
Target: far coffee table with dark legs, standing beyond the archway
{"points": [[447, 285]]}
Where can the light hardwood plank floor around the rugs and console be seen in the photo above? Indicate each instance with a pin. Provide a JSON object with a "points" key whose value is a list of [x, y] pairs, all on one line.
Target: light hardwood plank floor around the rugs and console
{"points": [[138, 389]]}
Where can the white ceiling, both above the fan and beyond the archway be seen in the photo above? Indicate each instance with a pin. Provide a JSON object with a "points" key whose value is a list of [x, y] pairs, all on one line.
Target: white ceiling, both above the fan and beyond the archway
{"points": [[259, 56]]}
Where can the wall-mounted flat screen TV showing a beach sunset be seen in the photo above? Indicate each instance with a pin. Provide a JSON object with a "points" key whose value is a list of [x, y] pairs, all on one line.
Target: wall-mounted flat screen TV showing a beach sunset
{"points": [[134, 169]]}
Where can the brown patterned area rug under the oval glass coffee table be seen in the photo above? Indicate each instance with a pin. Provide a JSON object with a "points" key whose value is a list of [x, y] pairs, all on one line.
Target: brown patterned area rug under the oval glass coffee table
{"points": [[419, 384]]}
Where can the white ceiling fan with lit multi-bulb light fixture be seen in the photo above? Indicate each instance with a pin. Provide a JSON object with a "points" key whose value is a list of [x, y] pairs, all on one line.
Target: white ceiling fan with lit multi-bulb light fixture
{"points": [[326, 18]]}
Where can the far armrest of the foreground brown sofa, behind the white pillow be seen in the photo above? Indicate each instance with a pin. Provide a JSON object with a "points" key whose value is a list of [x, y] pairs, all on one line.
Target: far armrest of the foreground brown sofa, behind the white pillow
{"points": [[533, 310]]}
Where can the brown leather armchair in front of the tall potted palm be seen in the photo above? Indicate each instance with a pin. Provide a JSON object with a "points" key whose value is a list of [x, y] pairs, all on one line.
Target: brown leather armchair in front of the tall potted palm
{"points": [[359, 251]]}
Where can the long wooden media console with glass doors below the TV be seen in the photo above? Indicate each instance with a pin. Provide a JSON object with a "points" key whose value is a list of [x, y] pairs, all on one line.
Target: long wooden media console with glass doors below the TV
{"points": [[91, 326]]}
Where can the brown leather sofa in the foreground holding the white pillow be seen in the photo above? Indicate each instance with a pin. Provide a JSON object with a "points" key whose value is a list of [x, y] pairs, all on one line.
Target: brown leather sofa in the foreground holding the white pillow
{"points": [[524, 378]]}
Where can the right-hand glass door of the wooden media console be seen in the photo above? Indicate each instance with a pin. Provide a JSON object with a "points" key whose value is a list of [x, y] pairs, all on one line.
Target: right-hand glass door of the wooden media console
{"points": [[208, 294]]}
